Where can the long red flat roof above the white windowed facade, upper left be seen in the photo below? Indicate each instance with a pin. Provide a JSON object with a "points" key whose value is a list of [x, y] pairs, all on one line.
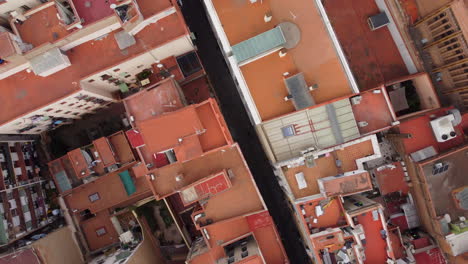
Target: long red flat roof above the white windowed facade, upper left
{"points": [[86, 59]]}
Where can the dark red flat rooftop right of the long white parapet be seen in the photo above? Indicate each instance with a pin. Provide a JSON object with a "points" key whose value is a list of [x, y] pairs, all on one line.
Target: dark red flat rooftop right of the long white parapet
{"points": [[373, 55]]}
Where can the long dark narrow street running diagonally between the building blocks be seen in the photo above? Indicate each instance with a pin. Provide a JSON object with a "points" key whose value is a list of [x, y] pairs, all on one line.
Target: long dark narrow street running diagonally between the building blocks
{"points": [[242, 130]]}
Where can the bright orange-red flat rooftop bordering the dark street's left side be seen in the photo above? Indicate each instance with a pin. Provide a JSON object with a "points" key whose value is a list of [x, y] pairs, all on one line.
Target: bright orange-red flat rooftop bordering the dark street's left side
{"points": [[195, 129]]}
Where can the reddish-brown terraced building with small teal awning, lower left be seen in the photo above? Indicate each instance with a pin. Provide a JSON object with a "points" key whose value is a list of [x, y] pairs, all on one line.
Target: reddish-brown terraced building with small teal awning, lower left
{"points": [[95, 179]]}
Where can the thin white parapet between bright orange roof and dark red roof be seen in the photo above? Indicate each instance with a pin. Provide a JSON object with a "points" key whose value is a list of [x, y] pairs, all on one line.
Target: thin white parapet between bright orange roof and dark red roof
{"points": [[336, 44]]}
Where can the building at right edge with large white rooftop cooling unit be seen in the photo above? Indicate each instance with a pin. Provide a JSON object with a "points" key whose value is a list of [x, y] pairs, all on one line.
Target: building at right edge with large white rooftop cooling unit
{"points": [[436, 162]]}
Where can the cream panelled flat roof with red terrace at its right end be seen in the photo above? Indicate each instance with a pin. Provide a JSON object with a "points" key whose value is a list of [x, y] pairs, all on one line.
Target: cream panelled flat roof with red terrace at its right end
{"points": [[328, 124]]}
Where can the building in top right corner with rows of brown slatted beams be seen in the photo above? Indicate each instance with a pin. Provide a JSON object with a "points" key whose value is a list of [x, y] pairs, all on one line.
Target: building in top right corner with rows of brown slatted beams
{"points": [[443, 36]]}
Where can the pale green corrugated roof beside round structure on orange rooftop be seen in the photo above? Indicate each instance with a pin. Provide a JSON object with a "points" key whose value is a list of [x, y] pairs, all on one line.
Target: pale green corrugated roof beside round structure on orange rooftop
{"points": [[259, 44]]}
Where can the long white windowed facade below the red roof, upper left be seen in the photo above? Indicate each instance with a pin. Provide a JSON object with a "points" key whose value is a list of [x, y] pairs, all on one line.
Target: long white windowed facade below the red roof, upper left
{"points": [[73, 108]]}
